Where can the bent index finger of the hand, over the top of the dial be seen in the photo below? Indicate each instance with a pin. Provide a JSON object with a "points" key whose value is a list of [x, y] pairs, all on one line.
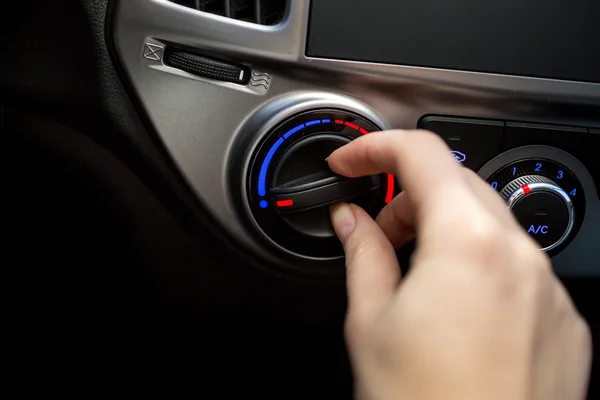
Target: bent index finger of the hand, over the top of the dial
{"points": [[420, 159]]}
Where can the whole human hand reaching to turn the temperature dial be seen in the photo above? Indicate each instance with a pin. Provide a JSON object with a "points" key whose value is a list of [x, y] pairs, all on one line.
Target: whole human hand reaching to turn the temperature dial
{"points": [[479, 316]]}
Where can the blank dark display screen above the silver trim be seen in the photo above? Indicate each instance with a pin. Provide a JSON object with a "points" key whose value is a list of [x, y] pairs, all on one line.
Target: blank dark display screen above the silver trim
{"points": [[557, 39]]}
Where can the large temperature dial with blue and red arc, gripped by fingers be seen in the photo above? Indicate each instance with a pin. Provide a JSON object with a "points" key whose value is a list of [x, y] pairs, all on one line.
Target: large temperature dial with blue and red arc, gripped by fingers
{"points": [[291, 187]]}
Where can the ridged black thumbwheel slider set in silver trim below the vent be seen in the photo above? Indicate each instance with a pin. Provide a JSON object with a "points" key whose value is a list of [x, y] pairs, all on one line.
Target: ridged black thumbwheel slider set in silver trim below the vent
{"points": [[206, 67]]}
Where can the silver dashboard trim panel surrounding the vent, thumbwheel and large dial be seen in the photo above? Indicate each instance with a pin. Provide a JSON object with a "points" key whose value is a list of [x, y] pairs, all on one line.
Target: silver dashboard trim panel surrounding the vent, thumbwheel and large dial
{"points": [[199, 121]]}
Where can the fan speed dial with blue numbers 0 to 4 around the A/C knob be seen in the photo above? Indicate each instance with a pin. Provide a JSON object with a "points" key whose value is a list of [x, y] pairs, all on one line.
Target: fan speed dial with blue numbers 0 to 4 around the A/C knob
{"points": [[545, 198]]}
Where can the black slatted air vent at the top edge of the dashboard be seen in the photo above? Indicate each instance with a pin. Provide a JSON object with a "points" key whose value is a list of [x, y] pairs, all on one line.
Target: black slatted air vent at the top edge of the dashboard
{"points": [[264, 12]]}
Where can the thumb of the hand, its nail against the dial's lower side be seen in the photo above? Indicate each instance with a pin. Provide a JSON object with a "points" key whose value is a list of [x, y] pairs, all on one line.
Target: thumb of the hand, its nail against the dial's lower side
{"points": [[372, 267]]}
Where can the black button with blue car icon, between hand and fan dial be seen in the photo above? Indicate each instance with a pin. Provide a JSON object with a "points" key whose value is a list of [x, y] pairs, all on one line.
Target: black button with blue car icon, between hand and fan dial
{"points": [[472, 142]]}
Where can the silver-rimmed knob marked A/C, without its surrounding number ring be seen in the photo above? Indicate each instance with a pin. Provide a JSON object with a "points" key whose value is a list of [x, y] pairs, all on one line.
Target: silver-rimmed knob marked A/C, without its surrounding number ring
{"points": [[543, 208]]}
